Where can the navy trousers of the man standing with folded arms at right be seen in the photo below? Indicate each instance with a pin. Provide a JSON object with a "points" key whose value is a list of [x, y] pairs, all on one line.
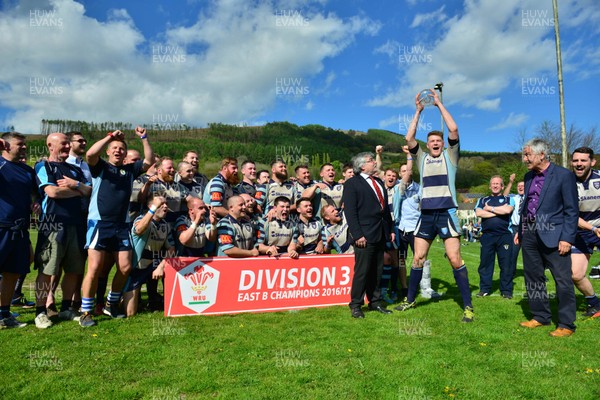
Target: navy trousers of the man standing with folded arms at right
{"points": [[492, 244]]}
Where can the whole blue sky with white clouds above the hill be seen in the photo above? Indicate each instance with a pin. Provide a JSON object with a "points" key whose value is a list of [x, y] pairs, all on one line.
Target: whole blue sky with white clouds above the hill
{"points": [[344, 64]]}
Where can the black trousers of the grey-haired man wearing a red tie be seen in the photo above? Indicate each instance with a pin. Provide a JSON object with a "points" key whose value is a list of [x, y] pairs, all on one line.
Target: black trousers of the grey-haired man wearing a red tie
{"points": [[368, 268]]}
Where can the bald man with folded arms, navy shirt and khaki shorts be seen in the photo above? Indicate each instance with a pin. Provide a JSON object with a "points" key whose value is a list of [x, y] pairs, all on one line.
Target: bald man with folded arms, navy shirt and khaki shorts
{"points": [[62, 227]]}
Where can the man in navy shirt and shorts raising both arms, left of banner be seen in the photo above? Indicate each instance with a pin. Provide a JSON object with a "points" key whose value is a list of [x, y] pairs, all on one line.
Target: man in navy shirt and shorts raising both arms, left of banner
{"points": [[108, 218]]}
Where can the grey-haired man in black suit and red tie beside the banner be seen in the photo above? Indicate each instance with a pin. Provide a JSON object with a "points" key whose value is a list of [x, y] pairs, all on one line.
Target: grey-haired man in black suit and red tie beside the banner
{"points": [[369, 226]]}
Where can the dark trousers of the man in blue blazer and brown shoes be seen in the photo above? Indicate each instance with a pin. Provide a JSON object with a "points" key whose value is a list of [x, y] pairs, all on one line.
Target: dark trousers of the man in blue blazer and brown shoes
{"points": [[536, 256]]}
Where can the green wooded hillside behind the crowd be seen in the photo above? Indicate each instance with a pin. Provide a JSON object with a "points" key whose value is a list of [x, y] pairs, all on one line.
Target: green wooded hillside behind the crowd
{"points": [[309, 144]]}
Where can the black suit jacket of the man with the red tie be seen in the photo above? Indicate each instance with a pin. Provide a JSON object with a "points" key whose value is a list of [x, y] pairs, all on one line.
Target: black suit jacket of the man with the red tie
{"points": [[363, 212]]}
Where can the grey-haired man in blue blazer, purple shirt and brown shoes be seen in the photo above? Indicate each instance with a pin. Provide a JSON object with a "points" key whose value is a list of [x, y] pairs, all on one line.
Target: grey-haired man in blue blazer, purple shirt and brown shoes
{"points": [[547, 230]]}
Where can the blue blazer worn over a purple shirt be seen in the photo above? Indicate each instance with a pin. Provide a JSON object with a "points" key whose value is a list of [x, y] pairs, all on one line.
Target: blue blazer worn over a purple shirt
{"points": [[558, 208]]}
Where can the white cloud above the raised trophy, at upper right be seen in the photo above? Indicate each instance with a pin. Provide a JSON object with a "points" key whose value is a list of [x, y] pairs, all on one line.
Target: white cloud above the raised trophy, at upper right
{"points": [[477, 54]]}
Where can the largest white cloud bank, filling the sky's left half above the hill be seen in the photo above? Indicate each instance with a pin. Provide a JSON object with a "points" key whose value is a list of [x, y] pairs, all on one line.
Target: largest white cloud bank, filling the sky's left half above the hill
{"points": [[221, 68]]}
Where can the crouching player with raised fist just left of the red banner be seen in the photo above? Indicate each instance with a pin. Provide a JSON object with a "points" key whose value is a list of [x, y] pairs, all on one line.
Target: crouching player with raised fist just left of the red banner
{"points": [[152, 243]]}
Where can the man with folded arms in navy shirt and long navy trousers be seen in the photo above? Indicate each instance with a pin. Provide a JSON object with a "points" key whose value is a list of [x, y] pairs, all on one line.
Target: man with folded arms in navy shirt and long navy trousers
{"points": [[495, 212]]}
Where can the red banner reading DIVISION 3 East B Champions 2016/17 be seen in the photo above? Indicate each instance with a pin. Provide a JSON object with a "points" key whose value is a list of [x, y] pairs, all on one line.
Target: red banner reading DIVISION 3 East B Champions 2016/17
{"points": [[223, 285]]}
